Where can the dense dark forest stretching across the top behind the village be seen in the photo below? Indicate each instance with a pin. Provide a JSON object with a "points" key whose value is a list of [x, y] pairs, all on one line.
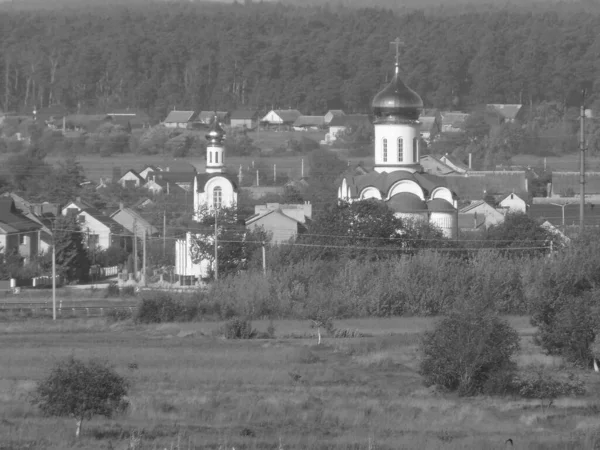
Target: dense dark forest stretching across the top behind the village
{"points": [[201, 56]]}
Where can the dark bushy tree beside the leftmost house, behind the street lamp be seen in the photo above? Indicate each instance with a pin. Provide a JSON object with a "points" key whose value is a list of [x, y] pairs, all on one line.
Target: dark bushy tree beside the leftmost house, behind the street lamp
{"points": [[72, 261]]}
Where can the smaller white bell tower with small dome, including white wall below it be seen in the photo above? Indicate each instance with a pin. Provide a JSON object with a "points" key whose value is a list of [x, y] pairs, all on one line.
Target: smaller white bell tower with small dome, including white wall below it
{"points": [[214, 189]]}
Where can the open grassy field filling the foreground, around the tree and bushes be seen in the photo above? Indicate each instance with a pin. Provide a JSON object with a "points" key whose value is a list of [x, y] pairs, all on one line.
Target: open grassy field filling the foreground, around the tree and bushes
{"points": [[192, 390]]}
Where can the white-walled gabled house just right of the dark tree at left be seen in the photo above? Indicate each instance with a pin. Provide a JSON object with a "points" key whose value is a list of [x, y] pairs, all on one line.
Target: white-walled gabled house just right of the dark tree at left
{"points": [[99, 230]]}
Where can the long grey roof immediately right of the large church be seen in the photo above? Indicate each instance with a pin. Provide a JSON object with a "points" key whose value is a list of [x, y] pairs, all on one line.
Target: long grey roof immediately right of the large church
{"points": [[475, 185]]}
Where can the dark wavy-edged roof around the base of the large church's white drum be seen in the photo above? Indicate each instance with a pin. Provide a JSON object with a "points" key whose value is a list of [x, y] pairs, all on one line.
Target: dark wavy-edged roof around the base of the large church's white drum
{"points": [[384, 181]]}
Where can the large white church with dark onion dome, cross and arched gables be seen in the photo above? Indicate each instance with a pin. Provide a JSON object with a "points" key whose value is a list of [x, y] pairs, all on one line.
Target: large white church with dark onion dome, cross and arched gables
{"points": [[397, 177]]}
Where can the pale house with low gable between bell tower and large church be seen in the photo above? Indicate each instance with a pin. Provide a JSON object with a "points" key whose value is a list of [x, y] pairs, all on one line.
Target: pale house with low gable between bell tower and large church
{"points": [[282, 221]]}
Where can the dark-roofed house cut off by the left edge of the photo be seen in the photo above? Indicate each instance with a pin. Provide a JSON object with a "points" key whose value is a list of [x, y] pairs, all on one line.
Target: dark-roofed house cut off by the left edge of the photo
{"points": [[18, 233]]}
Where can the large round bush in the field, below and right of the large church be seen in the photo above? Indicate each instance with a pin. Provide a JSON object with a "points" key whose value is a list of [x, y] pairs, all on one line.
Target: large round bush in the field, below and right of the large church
{"points": [[465, 349]]}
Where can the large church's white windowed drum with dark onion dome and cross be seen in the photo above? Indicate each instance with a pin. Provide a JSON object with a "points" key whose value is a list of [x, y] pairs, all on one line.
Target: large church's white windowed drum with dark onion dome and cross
{"points": [[397, 128]]}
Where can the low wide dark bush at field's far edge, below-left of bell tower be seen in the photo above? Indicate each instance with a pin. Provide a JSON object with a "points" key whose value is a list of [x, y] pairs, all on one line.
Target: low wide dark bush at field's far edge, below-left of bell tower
{"points": [[161, 307]]}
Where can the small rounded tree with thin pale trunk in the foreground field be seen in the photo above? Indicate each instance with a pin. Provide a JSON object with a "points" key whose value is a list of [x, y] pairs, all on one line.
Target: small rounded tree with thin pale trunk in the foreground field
{"points": [[81, 390]]}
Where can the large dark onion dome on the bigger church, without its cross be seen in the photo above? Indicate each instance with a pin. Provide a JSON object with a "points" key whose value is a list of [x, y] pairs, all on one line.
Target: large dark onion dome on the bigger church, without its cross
{"points": [[397, 99]]}
